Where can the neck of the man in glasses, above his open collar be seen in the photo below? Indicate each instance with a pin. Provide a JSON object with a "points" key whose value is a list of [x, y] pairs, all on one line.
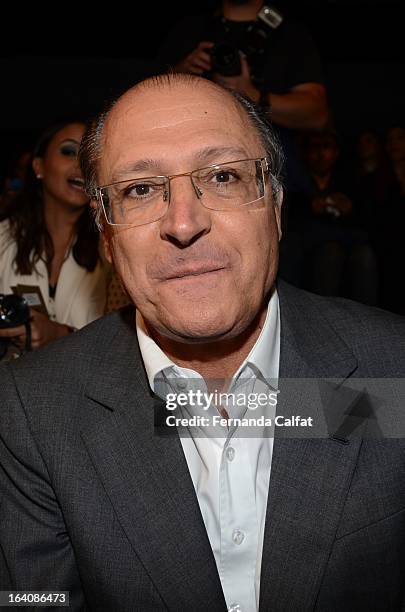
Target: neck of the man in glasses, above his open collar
{"points": [[215, 360]]}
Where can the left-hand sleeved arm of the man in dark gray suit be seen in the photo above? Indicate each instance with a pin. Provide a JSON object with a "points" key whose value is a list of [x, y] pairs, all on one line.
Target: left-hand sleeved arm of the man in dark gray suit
{"points": [[37, 553]]}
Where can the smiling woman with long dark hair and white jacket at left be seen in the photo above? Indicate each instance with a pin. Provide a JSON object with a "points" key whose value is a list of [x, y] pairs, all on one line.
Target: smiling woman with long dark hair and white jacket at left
{"points": [[49, 247]]}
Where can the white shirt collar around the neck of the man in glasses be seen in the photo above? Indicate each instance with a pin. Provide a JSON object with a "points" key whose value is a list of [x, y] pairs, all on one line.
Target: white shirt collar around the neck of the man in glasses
{"points": [[264, 355]]}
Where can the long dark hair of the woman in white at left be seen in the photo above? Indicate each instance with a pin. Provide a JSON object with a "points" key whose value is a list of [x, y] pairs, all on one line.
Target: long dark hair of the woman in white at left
{"points": [[27, 221]]}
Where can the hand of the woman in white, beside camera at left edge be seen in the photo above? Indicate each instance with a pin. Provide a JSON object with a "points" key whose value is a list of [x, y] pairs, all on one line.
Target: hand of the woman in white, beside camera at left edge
{"points": [[43, 330]]}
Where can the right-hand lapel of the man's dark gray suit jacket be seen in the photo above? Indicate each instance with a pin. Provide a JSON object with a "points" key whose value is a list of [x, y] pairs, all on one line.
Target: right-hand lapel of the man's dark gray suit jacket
{"points": [[309, 477]]}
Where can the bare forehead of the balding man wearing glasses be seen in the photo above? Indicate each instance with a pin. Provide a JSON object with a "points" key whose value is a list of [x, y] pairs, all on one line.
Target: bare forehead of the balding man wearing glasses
{"points": [[179, 123]]}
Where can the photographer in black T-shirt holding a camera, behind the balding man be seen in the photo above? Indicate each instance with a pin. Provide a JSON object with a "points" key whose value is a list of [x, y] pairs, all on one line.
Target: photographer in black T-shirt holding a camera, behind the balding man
{"points": [[286, 75]]}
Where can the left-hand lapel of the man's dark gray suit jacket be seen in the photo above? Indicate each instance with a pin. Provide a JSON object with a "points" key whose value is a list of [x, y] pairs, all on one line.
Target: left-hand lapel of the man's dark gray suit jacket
{"points": [[147, 480]]}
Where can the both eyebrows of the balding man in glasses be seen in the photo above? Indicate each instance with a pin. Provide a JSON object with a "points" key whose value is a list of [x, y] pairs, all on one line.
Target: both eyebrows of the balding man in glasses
{"points": [[204, 156]]}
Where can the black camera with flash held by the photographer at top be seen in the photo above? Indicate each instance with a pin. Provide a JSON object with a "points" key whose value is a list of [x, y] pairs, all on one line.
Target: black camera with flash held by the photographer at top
{"points": [[251, 39]]}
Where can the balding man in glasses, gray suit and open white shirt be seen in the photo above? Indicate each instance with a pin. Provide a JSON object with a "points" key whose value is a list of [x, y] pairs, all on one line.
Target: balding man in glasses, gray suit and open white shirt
{"points": [[185, 179]]}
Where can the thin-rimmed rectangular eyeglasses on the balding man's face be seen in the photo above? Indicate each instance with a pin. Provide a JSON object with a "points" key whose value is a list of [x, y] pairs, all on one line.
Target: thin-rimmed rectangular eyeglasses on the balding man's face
{"points": [[226, 186]]}
